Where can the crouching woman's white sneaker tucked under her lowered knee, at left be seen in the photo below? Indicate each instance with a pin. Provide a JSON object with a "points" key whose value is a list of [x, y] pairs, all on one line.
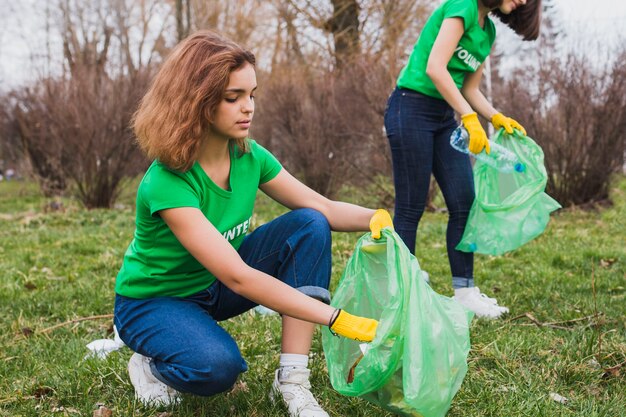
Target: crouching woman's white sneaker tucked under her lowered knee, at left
{"points": [[149, 390]]}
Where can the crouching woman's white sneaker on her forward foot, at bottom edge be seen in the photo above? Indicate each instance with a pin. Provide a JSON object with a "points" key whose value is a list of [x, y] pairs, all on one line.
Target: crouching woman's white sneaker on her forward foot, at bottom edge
{"points": [[294, 387]]}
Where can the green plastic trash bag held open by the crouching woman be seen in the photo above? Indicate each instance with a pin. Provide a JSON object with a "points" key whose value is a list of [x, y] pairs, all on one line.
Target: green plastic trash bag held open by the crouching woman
{"points": [[418, 360]]}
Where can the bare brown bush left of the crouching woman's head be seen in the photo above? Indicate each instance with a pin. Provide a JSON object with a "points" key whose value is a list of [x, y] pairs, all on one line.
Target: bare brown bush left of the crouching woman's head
{"points": [[77, 130]]}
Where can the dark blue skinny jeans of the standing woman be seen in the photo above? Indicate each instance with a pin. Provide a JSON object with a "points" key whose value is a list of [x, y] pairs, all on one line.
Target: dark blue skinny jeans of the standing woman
{"points": [[419, 128]]}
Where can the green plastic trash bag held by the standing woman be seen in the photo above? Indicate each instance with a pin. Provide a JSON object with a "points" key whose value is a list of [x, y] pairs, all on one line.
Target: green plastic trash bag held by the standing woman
{"points": [[510, 209]]}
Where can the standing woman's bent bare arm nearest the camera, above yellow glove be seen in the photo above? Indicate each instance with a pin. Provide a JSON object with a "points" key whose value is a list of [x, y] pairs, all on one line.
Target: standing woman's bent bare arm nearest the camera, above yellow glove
{"points": [[447, 41]]}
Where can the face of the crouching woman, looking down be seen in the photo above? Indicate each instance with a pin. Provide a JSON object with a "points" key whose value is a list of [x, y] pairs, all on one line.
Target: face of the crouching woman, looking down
{"points": [[233, 115]]}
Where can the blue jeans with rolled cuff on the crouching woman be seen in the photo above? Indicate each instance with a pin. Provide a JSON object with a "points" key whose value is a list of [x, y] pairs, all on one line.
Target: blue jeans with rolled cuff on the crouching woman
{"points": [[190, 351]]}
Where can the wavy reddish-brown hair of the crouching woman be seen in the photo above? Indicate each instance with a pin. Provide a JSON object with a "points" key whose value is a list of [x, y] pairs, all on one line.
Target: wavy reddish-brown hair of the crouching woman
{"points": [[174, 116]]}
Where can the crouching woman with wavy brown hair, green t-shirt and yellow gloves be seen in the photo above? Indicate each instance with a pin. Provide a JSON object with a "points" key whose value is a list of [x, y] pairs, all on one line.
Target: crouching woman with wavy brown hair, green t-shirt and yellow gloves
{"points": [[192, 263]]}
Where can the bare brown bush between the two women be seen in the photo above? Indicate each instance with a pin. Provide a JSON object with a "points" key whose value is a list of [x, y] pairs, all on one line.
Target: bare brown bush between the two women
{"points": [[328, 127]]}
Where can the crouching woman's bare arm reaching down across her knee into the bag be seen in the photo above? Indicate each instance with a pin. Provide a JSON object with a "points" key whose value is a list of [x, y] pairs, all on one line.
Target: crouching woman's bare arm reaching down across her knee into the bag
{"points": [[209, 247]]}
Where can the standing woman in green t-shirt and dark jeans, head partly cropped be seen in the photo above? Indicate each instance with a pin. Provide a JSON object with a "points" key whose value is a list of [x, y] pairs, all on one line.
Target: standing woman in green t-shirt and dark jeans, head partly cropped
{"points": [[442, 77]]}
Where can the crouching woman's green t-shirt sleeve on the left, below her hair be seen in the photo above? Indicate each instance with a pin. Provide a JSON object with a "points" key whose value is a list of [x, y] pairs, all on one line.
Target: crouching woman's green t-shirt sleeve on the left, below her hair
{"points": [[162, 189]]}
